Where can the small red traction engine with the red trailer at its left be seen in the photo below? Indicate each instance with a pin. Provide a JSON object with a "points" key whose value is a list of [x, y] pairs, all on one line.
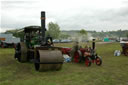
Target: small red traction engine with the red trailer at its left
{"points": [[86, 55]]}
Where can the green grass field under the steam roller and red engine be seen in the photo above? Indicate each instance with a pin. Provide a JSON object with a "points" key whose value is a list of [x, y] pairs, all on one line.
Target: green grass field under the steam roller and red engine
{"points": [[114, 70]]}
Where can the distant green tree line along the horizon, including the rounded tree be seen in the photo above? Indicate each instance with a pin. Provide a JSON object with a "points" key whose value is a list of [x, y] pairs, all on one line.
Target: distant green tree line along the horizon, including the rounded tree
{"points": [[54, 31]]}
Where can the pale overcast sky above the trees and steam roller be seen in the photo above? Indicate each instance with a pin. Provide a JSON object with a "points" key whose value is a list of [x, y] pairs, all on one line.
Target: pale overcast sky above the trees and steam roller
{"points": [[98, 15]]}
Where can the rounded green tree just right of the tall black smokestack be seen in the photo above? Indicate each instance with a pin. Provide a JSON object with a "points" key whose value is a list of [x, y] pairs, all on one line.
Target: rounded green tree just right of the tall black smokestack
{"points": [[53, 30]]}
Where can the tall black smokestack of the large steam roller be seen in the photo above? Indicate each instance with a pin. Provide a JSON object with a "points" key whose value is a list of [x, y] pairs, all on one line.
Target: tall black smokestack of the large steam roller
{"points": [[43, 26]]}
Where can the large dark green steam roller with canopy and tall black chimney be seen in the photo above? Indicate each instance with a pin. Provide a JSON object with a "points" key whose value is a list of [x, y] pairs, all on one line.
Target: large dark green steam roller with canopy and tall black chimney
{"points": [[37, 48]]}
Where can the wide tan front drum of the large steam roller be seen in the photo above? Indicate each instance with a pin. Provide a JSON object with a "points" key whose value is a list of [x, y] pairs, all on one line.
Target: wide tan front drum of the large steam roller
{"points": [[48, 60]]}
